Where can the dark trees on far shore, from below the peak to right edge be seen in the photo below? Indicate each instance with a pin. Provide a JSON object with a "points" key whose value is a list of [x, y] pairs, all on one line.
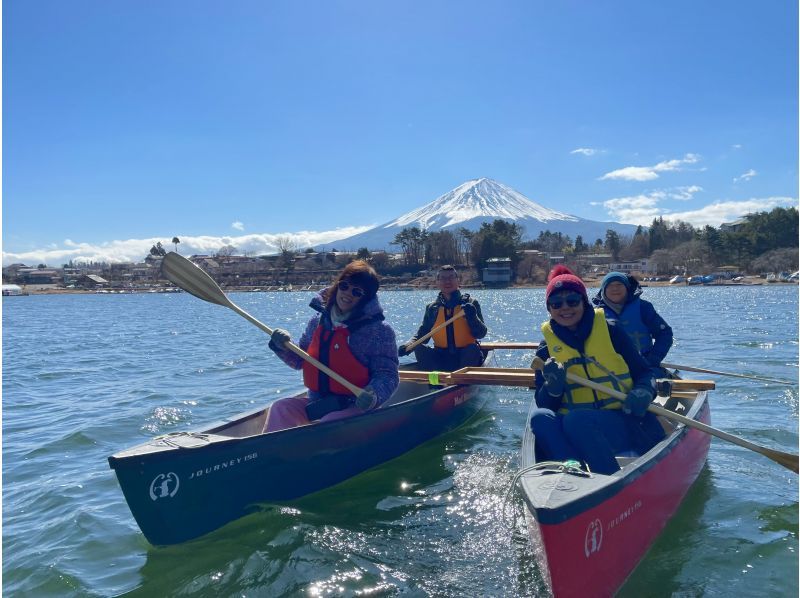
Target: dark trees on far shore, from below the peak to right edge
{"points": [[761, 242]]}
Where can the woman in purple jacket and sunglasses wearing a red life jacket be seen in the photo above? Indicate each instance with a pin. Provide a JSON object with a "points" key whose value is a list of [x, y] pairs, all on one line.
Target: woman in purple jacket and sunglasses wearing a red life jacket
{"points": [[350, 336]]}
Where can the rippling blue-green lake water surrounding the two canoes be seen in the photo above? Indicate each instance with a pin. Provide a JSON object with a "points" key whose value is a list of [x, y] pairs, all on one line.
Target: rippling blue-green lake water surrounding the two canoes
{"points": [[85, 376]]}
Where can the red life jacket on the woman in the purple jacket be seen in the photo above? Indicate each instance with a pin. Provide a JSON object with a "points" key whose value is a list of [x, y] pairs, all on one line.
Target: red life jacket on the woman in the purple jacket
{"points": [[332, 348]]}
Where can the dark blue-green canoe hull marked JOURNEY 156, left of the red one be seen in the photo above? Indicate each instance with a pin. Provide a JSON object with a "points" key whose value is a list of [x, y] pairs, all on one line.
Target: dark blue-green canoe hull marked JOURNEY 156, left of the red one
{"points": [[182, 486]]}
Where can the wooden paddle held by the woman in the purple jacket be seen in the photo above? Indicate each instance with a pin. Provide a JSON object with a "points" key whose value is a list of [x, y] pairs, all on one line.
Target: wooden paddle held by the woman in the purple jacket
{"points": [[193, 279]]}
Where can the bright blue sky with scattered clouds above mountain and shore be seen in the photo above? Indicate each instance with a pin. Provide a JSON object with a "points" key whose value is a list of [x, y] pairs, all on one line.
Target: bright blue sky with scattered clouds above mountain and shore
{"points": [[235, 122]]}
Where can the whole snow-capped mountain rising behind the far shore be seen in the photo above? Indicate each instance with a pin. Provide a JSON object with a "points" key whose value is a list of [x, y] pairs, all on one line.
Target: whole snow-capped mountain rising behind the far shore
{"points": [[471, 204]]}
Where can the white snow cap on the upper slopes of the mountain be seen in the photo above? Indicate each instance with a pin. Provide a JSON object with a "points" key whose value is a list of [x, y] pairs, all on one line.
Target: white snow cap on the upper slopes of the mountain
{"points": [[478, 198]]}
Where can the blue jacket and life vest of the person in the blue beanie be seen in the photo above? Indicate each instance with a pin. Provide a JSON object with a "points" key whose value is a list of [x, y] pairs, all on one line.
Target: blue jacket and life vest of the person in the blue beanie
{"points": [[649, 331]]}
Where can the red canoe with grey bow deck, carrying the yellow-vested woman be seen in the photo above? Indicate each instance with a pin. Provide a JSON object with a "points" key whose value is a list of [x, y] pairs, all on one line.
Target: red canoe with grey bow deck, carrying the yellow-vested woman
{"points": [[590, 532]]}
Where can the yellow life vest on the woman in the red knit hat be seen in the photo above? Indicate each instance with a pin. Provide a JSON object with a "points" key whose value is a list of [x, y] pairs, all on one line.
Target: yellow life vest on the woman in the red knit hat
{"points": [[599, 363]]}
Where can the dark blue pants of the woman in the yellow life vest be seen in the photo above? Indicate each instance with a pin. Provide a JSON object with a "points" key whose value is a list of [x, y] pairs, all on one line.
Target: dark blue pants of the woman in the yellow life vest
{"points": [[593, 436]]}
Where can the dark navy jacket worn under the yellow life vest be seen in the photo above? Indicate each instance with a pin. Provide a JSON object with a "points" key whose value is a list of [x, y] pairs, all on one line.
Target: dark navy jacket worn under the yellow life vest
{"points": [[642, 374]]}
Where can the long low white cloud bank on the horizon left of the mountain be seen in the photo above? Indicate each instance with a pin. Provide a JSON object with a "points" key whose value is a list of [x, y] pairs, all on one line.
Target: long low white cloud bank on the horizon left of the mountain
{"points": [[135, 250]]}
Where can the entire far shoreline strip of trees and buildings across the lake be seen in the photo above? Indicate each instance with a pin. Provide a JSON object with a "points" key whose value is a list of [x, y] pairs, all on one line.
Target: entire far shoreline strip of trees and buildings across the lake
{"points": [[744, 252]]}
